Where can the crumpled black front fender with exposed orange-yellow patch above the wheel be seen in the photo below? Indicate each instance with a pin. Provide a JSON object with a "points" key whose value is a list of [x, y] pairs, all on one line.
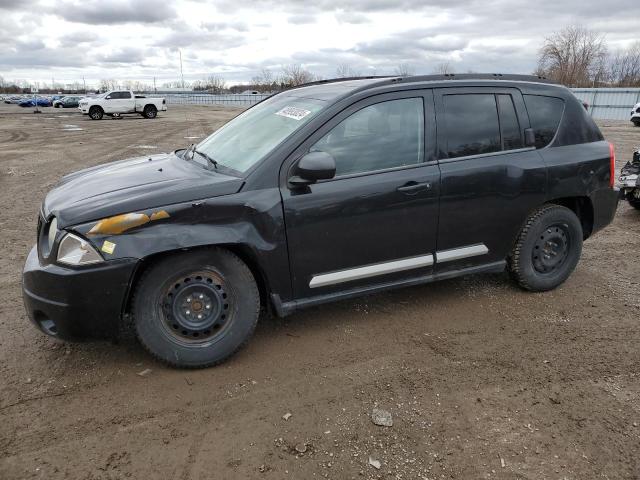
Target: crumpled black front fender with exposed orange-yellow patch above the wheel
{"points": [[252, 220]]}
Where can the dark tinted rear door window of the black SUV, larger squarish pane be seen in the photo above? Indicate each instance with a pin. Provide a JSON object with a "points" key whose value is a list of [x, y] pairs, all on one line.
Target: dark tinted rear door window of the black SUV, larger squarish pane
{"points": [[472, 124]]}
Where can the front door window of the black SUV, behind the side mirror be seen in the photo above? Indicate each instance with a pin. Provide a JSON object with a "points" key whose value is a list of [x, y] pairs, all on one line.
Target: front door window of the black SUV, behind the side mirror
{"points": [[385, 135]]}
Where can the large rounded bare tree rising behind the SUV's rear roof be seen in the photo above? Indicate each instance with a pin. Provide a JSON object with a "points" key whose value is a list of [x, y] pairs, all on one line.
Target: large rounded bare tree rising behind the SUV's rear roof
{"points": [[573, 56]]}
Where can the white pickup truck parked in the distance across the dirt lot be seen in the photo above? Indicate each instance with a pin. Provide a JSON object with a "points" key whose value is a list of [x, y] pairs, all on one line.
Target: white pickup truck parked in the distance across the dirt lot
{"points": [[119, 102]]}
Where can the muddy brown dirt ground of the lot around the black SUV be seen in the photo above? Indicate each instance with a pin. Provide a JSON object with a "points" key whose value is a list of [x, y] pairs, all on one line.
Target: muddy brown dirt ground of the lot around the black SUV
{"points": [[483, 380]]}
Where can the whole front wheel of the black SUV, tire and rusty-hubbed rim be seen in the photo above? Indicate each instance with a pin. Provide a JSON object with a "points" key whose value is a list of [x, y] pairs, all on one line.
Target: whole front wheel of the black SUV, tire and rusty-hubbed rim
{"points": [[171, 294]]}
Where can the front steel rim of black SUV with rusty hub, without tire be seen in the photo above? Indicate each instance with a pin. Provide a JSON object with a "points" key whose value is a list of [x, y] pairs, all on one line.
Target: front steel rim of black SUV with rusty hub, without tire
{"points": [[196, 308]]}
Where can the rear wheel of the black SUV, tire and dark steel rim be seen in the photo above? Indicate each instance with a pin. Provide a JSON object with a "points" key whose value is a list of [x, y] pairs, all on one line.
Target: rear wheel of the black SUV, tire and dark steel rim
{"points": [[547, 249]]}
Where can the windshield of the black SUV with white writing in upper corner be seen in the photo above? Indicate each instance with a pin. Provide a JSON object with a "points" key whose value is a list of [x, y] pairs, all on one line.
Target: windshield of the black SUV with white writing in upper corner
{"points": [[249, 137]]}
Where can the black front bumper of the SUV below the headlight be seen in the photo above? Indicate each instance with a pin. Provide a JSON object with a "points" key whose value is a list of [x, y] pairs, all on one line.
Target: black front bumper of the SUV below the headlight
{"points": [[74, 304]]}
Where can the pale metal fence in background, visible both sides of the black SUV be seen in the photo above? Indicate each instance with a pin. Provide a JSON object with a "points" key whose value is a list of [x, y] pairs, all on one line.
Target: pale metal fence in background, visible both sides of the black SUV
{"points": [[604, 103]]}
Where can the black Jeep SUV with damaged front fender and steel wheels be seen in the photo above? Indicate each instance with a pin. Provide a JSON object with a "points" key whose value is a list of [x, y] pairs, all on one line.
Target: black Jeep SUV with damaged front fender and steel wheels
{"points": [[320, 193]]}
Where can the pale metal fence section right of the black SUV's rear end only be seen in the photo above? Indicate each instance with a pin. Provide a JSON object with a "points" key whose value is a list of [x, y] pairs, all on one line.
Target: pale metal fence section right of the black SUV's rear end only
{"points": [[609, 103]]}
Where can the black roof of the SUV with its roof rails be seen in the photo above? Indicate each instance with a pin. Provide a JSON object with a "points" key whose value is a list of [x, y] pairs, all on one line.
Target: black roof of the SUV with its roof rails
{"points": [[334, 89]]}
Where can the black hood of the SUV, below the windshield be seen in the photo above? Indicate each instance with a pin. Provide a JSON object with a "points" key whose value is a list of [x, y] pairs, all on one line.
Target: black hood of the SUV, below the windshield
{"points": [[133, 185]]}
